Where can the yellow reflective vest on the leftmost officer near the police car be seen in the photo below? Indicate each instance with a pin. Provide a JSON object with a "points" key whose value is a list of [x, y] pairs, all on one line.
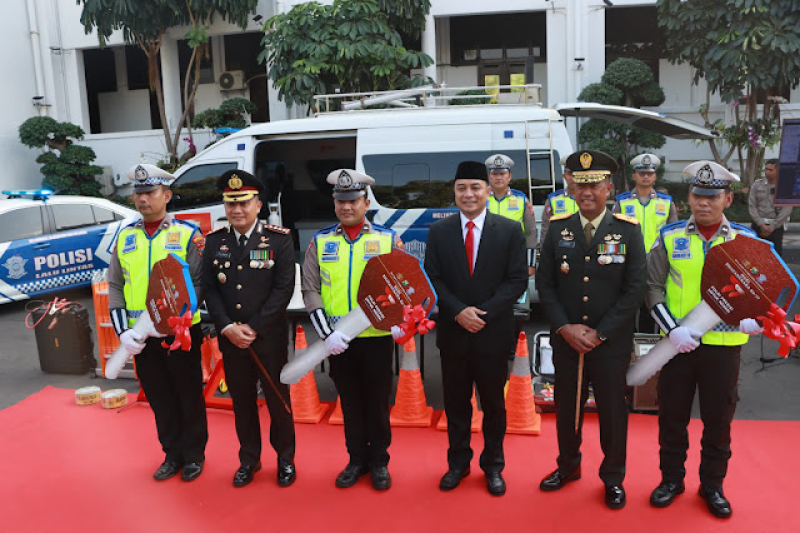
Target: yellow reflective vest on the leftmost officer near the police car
{"points": [[137, 254]]}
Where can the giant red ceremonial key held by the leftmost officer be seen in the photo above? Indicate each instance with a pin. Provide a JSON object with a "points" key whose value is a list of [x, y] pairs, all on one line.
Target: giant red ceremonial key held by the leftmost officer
{"points": [[170, 296]]}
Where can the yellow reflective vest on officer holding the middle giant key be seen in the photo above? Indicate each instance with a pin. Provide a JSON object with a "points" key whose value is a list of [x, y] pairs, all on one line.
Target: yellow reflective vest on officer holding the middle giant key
{"points": [[341, 264]]}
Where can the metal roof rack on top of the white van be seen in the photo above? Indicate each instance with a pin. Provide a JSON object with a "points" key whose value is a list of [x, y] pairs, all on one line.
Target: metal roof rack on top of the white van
{"points": [[430, 96]]}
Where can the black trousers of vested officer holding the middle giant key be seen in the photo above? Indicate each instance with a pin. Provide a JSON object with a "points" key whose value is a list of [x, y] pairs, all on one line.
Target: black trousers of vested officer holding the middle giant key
{"points": [[363, 377]]}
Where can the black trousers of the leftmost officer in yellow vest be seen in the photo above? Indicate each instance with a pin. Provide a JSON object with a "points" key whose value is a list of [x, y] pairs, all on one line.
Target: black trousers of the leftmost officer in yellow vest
{"points": [[173, 384]]}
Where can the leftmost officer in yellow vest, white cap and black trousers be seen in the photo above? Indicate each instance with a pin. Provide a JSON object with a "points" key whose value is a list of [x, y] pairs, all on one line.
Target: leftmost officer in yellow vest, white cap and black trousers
{"points": [[172, 381]]}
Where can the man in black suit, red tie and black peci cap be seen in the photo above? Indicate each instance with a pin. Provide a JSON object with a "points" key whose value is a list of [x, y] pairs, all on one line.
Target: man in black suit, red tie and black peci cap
{"points": [[476, 262]]}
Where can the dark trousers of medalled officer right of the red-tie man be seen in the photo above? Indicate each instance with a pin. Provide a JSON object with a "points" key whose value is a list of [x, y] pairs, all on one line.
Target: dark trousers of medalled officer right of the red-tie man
{"points": [[605, 369]]}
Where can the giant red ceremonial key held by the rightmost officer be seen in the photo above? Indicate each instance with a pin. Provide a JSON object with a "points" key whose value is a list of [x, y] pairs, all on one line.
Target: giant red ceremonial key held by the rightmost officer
{"points": [[741, 279]]}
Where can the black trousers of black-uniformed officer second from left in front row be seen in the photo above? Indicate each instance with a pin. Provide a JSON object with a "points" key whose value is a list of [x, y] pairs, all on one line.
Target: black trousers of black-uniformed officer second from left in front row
{"points": [[243, 376]]}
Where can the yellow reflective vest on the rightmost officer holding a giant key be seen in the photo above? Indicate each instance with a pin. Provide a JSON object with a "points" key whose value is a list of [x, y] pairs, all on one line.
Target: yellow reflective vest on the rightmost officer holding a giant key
{"points": [[687, 255]]}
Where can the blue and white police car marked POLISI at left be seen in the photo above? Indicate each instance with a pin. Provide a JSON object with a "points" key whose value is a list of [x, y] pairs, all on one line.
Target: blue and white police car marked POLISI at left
{"points": [[51, 242]]}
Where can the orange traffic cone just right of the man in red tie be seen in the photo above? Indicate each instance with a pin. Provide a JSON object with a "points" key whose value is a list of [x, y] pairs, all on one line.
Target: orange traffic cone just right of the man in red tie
{"points": [[521, 415]]}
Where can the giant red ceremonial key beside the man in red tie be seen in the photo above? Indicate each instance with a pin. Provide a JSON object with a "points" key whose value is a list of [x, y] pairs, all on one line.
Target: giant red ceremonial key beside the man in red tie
{"points": [[390, 283]]}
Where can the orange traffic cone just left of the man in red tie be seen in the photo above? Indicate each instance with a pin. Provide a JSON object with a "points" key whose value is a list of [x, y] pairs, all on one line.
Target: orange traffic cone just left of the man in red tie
{"points": [[410, 408]]}
